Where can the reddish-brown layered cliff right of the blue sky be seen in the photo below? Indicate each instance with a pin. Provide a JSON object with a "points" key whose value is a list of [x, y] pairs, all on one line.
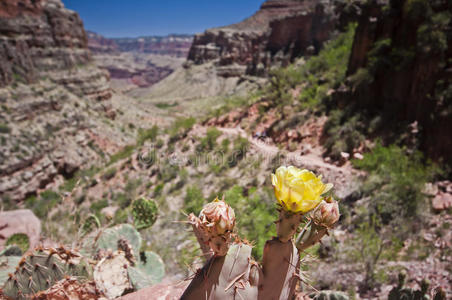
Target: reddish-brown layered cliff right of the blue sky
{"points": [[280, 31]]}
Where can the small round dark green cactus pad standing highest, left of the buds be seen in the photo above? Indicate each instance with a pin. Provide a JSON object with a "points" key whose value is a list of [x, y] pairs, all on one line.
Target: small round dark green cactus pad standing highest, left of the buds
{"points": [[144, 212]]}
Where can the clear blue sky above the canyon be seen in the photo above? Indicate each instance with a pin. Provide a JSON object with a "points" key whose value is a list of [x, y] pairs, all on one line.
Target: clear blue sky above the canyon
{"points": [[132, 18]]}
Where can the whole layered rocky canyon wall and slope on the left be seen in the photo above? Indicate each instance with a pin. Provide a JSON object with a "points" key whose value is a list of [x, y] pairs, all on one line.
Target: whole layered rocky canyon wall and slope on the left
{"points": [[56, 105]]}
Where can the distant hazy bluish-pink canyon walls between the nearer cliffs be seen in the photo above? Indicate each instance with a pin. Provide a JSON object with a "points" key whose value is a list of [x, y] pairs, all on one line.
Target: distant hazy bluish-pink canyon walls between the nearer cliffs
{"points": [[139, 62]]}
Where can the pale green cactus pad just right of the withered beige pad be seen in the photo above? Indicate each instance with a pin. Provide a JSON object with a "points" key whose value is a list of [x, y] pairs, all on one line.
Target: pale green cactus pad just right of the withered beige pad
{"points": [[148, 271]]}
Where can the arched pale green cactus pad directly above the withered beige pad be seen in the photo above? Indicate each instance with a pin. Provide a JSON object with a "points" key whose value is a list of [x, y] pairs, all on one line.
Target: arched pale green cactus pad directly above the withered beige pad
{"points": [[109, 237]]}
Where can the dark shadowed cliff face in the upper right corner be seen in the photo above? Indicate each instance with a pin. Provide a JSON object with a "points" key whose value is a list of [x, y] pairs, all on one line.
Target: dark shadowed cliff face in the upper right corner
{"points": [[401, 69]]}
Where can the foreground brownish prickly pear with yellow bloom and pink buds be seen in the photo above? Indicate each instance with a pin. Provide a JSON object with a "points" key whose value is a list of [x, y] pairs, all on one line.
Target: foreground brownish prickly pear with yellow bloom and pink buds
{"points": [[231, 273]]}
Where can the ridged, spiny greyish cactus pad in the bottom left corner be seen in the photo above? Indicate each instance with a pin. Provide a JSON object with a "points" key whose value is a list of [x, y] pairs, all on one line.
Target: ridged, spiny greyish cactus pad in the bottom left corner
{"points": [[40, 269]]}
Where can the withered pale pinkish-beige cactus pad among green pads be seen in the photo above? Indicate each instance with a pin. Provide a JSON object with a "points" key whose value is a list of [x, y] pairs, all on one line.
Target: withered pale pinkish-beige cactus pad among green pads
{"points": [[111, 275]]}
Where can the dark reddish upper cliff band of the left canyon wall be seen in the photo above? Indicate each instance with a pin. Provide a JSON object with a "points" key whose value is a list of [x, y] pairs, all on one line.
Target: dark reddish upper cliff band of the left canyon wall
{"points": [[41, 38]]}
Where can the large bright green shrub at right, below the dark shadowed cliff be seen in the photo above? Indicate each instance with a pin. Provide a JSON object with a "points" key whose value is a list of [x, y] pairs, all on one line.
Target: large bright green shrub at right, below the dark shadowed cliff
{"points": [[395, 182]]}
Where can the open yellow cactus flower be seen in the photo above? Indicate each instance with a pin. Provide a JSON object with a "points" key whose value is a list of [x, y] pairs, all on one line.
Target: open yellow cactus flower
{"points": [[298, 191]]}
